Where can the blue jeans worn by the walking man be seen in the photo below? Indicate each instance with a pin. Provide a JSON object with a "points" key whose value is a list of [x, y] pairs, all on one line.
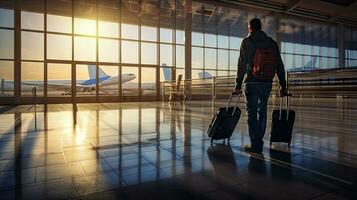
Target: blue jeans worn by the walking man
{"points": [[256, 98]]}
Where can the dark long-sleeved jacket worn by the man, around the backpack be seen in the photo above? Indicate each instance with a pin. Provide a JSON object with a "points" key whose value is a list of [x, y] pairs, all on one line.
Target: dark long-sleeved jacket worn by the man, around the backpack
{"points": [[246, 56]]}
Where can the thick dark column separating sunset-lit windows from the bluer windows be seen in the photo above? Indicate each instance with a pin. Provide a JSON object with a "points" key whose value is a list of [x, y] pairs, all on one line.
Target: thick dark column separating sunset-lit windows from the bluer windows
{"points": [[188, 42]]}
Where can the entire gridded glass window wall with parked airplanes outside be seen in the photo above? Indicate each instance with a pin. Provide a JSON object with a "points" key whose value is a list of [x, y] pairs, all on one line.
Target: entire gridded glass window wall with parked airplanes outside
{"points": [[124, 37]]}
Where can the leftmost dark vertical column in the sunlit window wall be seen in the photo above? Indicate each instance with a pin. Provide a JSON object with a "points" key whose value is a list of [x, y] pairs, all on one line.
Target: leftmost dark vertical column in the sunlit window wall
{"points": [[17, 52]]}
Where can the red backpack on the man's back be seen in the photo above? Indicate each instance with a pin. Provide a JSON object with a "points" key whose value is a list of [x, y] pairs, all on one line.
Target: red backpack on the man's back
{"points": [[263, 63]]}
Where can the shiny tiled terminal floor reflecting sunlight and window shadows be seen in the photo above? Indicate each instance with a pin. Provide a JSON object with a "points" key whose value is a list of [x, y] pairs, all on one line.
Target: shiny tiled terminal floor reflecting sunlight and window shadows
{"points": [[155, 150]]}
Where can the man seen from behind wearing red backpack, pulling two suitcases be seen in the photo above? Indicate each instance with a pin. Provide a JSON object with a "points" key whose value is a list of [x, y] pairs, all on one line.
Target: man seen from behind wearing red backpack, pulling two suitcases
{"points": [[258, 86]]}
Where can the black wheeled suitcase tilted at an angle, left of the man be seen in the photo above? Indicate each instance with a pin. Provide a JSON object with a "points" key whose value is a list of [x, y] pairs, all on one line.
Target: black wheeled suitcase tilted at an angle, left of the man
{"points": [[224, 122]]}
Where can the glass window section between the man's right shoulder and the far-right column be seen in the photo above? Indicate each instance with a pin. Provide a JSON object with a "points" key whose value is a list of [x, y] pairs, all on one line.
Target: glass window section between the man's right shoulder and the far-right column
{"points": [[307, 46]]}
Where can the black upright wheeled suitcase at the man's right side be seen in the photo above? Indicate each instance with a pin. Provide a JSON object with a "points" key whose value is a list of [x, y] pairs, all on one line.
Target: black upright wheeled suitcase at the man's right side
{"points": [[282, 123]]}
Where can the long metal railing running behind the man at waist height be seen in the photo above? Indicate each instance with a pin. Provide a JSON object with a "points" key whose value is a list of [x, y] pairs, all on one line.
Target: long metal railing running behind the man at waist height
{"points": [[328, 84]]}
